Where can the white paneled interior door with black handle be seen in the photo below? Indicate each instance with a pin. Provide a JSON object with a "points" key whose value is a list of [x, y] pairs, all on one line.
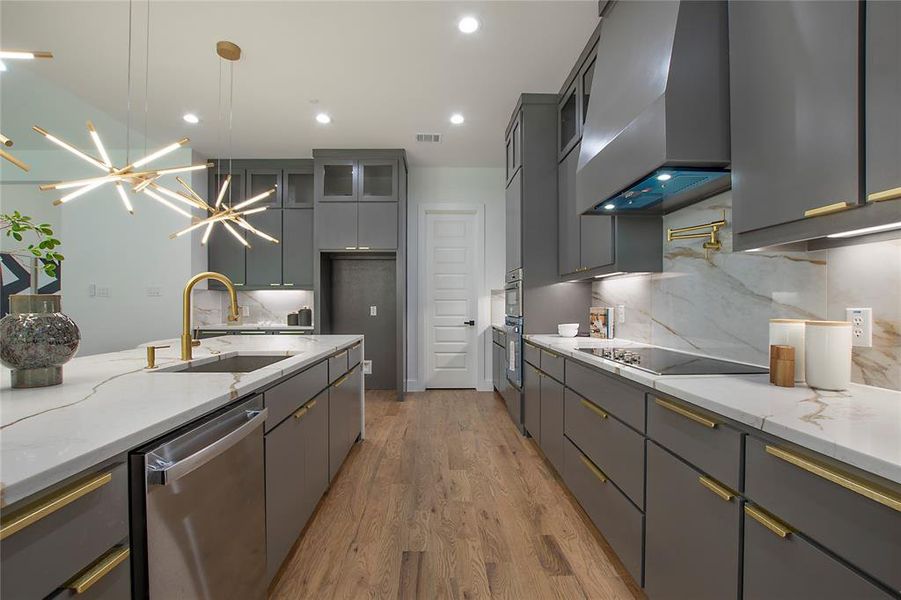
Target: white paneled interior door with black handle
{"points": [[451, 297]]}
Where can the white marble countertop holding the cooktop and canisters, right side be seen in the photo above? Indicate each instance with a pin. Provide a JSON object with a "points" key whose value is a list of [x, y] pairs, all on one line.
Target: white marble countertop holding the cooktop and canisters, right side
{"points": [[860, 426]]}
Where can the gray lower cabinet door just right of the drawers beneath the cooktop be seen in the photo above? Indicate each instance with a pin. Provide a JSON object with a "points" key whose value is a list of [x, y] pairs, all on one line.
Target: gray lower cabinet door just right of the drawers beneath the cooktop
{"points": [[691, 533]]}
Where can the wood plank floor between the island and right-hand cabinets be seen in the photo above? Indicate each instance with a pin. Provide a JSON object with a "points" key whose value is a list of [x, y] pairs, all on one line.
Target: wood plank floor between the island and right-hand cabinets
{"points": [[445, 499]]}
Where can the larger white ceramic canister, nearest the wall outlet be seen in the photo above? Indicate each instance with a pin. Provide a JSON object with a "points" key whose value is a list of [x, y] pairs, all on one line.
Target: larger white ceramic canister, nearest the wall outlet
{"points": [[827, 354]]}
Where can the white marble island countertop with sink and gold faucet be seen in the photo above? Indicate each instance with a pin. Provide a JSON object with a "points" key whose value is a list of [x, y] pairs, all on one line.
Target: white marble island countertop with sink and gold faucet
{"points": [[109, 404]]}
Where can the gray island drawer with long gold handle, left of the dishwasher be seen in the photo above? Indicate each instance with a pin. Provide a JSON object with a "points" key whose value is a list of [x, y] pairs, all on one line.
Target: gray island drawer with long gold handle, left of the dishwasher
{"points": [[41, 556]]}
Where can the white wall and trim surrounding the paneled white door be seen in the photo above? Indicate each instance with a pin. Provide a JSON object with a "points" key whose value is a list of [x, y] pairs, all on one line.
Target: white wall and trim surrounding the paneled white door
{"points": [[465, 186]]}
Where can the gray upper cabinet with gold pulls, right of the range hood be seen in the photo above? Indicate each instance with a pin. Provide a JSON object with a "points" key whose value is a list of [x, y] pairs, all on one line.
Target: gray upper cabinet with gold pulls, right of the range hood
{"points": [[802, 163]]}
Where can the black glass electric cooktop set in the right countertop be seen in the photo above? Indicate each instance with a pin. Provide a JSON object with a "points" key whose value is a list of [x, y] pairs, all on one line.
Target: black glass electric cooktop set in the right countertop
{"points": [[669, 362]]}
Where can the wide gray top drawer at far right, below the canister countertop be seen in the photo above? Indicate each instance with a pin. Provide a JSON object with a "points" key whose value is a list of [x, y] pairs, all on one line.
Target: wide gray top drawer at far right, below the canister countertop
{"points": [[862, 531]]}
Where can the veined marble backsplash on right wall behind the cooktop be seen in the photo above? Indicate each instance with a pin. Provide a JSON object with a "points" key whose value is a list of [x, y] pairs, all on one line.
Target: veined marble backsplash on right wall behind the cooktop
{"points": [[719, 303]]}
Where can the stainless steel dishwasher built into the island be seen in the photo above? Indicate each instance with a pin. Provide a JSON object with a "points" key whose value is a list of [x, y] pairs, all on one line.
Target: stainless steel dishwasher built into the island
{"points": [[198, 509]]}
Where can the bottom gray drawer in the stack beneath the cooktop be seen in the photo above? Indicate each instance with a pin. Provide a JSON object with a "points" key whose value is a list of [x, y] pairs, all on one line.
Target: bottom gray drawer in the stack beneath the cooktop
{"points": [[617, 519]]}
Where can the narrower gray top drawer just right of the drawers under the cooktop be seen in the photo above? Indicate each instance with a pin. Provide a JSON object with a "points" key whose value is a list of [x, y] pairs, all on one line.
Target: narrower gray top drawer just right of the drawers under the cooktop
{"points": [[698, 437]]}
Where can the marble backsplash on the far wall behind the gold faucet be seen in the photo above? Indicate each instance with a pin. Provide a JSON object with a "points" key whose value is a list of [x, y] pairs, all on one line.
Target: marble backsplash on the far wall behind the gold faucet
{"points": [[266, 307]]}
